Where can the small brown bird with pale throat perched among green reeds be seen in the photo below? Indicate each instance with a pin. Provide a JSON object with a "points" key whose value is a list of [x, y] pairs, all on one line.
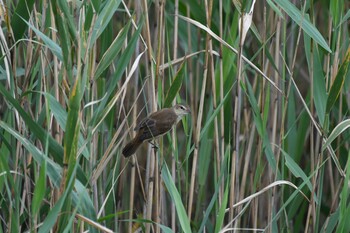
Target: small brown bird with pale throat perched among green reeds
{"points": [[155, 125]]}
